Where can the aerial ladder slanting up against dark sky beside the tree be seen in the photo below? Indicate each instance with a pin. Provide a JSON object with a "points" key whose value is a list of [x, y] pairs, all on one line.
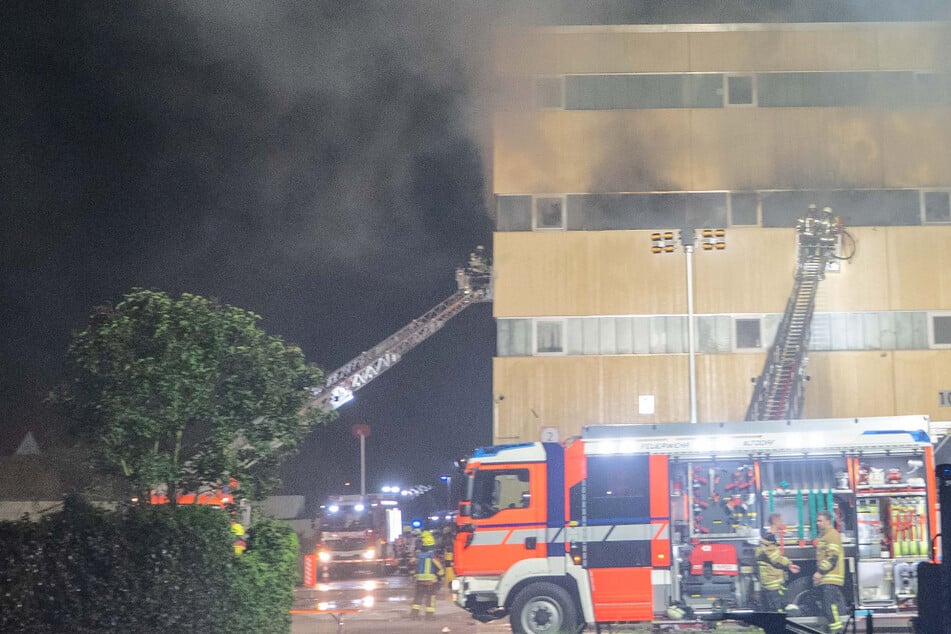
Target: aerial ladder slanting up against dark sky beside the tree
{"points": [[474, 285]]}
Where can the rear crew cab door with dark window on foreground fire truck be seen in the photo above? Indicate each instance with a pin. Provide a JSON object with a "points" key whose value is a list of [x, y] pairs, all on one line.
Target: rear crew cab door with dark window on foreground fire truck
{"points": [[623, 512]]}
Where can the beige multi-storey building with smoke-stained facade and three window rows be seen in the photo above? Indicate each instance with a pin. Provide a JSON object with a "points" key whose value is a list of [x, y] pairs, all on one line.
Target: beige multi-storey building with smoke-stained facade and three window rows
{"points": [[609, 133]]}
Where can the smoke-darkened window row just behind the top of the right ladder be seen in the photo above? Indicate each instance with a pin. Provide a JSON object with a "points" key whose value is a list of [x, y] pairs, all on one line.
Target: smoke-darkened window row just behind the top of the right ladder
{"points": [[600, 212]]}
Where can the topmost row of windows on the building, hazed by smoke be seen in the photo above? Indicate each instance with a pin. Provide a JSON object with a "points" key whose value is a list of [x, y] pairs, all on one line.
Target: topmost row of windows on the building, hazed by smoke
{"points": [[893, 89]]}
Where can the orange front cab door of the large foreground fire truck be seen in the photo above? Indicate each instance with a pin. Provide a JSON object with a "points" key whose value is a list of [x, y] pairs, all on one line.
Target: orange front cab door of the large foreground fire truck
{"points": [[507, 518]]}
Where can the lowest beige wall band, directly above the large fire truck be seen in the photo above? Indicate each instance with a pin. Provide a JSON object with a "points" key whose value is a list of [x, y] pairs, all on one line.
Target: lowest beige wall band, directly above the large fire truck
{"points": [[569, 392]]}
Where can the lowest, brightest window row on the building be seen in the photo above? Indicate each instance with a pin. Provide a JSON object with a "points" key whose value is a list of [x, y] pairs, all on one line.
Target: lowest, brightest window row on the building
{"points": [[667, 334]]}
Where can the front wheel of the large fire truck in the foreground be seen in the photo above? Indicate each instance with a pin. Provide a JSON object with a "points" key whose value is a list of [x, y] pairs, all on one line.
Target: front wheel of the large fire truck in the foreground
{"points": [[544, 608]]}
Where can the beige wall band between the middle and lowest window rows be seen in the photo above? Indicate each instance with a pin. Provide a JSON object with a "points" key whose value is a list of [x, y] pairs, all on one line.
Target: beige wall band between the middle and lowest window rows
{"points": [[575, 273]]}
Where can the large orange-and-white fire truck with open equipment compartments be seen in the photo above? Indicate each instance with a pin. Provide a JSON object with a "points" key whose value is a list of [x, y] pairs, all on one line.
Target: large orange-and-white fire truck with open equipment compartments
{"points": [[644, 523]]}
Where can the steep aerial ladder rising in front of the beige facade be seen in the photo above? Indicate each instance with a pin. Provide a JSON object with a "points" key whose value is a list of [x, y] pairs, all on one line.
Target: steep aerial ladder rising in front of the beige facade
{"points": [[780, 389]]}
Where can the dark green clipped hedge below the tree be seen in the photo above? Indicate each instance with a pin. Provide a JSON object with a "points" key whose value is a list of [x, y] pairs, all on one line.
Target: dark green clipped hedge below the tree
{"points": [[144, 569]]}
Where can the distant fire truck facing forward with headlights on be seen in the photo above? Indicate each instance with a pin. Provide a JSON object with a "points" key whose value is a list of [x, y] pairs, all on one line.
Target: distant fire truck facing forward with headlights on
{"points": [[357, 534]]}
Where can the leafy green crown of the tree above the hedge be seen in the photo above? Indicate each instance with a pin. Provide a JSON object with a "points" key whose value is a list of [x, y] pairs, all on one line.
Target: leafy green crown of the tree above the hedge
{"points": [[187, 393]]}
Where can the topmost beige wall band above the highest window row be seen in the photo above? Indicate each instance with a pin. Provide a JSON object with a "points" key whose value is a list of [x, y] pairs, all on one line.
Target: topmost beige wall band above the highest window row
{"points": [[728, 48]]}
